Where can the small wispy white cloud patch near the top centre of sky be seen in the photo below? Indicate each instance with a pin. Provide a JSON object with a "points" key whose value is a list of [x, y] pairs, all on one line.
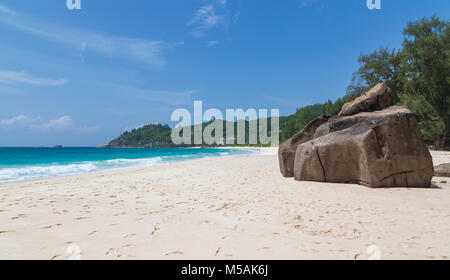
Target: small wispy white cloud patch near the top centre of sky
{"points": [[204, 19]]}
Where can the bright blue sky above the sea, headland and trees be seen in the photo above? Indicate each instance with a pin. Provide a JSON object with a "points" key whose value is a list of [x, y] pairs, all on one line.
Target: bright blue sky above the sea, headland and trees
{"points": [[81, 77]]}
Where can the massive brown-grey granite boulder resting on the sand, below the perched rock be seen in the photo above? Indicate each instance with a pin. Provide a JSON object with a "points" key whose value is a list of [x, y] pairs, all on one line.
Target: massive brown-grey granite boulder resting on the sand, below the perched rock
{"points": [[382, 148]]}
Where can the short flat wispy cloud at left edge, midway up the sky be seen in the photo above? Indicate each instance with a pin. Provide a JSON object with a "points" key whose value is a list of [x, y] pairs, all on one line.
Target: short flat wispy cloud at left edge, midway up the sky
{"points": [[12, 77]]}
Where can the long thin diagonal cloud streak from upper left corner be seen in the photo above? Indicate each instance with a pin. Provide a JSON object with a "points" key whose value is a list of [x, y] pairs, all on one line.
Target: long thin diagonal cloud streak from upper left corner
{"points": [[140, 50]]}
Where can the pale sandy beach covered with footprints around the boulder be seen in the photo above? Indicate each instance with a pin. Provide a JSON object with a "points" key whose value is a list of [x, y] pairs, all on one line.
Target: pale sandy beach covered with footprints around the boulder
{"points": [[220, 208]]}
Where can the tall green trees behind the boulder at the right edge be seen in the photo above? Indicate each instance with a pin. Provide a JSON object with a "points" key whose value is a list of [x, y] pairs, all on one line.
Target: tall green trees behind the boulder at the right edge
{"points": [[418, 74]]}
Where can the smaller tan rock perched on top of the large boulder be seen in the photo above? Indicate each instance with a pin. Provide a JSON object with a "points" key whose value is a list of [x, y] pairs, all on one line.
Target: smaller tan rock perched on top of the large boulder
{"points": [[378, 98]]}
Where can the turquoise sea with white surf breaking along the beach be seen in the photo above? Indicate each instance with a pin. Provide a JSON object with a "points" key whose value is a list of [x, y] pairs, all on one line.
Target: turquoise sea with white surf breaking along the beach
{"points": [[17, 164]]}
